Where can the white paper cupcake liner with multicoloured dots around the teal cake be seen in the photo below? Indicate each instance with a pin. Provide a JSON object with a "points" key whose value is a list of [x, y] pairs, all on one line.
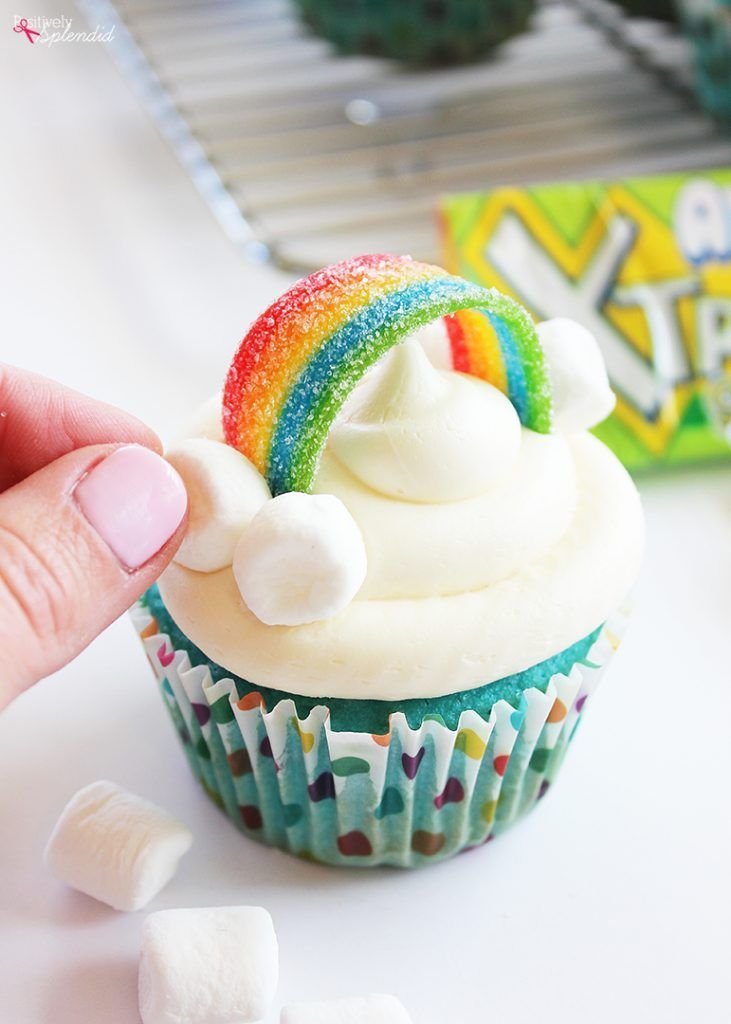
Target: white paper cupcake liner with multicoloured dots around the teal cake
{"points": [[408, 798]]}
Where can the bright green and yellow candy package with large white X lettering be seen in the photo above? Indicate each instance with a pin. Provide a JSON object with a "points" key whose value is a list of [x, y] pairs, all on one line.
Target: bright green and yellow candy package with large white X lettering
{"points": [[646, 265]]}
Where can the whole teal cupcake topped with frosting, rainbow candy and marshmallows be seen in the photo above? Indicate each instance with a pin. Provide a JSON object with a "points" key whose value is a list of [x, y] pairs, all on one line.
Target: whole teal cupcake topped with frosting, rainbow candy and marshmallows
{"points": [[405, 569]]}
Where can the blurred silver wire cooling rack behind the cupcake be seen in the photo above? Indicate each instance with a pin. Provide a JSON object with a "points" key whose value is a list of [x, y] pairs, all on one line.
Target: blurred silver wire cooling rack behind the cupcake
{"points": [[308, 157]]}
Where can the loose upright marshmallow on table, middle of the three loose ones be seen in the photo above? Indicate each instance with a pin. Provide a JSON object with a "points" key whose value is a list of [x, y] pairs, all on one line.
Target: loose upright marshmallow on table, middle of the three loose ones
{"points": [[208, 966]]}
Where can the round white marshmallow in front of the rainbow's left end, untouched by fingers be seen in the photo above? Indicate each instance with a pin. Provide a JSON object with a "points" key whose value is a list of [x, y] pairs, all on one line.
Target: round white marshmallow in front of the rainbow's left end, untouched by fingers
{"points": [[302, 561]]}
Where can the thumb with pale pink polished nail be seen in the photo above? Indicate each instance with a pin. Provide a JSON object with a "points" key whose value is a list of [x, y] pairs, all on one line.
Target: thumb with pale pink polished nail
{"points": [[80, 541]]}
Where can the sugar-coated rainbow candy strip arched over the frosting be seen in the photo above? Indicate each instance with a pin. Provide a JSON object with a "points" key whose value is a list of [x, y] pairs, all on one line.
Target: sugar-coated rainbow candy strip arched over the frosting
{"points": [[304, 357]]}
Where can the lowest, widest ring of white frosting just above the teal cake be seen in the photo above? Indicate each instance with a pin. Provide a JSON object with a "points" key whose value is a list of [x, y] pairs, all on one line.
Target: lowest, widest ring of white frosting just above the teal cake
{"points": [[422, 648]]}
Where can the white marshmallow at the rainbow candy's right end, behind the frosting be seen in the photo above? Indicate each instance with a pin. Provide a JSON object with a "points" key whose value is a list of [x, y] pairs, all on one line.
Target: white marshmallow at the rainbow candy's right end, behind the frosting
{"points": [[582, 396]]}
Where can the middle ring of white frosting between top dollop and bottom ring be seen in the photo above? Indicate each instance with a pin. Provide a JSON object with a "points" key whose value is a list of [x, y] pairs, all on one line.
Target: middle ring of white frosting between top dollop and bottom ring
{"points": [[423, 550]]}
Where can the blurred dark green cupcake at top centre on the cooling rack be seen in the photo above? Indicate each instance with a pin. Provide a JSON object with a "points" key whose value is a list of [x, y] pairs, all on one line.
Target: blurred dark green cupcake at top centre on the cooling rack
{"points": [[418, 32]]}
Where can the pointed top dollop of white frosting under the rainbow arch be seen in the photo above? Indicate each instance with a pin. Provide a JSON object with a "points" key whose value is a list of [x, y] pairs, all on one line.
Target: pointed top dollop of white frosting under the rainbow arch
{"points": [[419, 435]]}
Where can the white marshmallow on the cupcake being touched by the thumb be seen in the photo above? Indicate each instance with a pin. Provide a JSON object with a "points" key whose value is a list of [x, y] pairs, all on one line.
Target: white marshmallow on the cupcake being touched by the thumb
{"points": [[225, 493]]}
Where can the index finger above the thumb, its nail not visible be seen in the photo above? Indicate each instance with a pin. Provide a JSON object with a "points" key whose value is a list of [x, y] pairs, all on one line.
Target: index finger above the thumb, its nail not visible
{"points": [[40, 421]]}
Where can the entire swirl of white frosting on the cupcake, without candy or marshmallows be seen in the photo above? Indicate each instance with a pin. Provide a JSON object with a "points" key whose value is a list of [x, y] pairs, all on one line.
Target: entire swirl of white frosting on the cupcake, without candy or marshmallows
{"points": [[466, 583]]}
